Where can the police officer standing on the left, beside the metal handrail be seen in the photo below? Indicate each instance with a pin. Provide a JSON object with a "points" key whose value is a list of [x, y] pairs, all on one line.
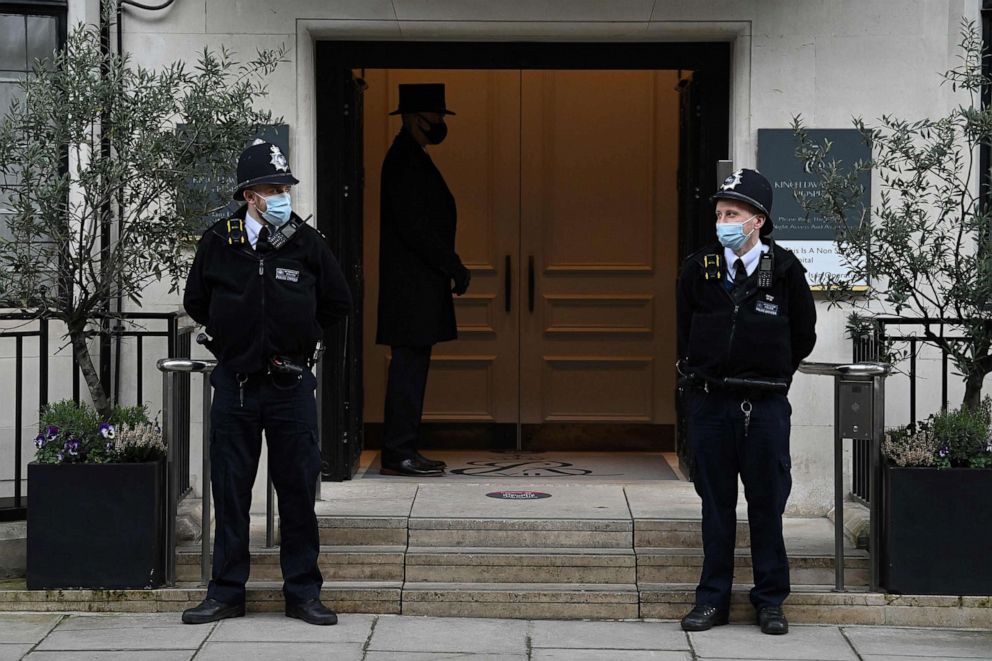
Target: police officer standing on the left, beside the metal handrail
{"points": [[266, 287]]}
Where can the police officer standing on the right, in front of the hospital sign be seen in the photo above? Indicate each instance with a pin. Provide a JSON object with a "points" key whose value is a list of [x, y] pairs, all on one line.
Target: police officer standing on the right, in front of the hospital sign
{"points": [[746, 318]]}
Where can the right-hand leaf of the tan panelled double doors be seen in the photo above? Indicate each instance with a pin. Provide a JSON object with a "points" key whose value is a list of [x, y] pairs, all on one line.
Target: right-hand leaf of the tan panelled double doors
{"points": [[598, 217]]}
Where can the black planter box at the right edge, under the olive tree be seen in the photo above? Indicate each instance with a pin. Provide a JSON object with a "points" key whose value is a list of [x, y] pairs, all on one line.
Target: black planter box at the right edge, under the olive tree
{"points": [[936, 530]]}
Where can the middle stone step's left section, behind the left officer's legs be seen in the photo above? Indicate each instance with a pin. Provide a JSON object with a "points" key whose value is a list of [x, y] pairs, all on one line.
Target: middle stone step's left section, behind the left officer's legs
{"points": [[337, 563]]}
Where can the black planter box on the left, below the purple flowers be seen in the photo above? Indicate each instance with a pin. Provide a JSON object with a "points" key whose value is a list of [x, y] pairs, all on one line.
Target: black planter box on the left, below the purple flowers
{"points": [[96, 526]]}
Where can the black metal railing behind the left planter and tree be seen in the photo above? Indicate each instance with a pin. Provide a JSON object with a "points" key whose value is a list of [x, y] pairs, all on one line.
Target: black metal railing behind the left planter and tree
{"points": [[174, 331]]}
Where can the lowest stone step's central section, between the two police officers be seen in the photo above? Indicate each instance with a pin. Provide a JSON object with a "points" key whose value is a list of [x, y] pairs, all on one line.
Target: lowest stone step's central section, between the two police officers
{"points": [[523, 600]]}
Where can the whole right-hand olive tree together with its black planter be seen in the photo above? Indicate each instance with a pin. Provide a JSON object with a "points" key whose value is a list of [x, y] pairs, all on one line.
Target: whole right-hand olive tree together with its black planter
{"points": [[926, 250]]}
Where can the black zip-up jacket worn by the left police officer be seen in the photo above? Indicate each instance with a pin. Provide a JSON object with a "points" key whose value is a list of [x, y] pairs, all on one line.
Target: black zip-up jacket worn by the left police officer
{"points": [[257, 305]]}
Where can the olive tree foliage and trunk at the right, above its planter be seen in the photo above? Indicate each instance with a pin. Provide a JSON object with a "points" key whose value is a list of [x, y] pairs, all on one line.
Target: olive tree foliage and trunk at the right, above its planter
{"points": [[925, 247]]}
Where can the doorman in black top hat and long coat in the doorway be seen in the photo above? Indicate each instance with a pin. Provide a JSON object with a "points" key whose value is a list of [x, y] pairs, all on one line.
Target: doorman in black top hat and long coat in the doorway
{"points": [[418, 272]]}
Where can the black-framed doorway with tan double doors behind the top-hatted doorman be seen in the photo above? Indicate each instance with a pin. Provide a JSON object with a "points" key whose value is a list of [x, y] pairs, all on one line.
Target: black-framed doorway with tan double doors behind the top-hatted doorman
{"points": [[578, 189]]}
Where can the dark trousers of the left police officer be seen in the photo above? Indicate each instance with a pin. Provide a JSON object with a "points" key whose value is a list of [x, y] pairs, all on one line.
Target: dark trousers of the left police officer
{"points": [[285, 408]]}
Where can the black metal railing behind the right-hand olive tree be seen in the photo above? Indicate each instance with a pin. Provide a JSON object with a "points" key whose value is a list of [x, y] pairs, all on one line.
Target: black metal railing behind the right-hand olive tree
{"points": [[887, 339]]}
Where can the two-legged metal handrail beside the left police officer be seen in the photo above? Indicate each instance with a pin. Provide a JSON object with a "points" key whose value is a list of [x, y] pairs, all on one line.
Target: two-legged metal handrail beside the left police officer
{"points": [[169, 367]]}
